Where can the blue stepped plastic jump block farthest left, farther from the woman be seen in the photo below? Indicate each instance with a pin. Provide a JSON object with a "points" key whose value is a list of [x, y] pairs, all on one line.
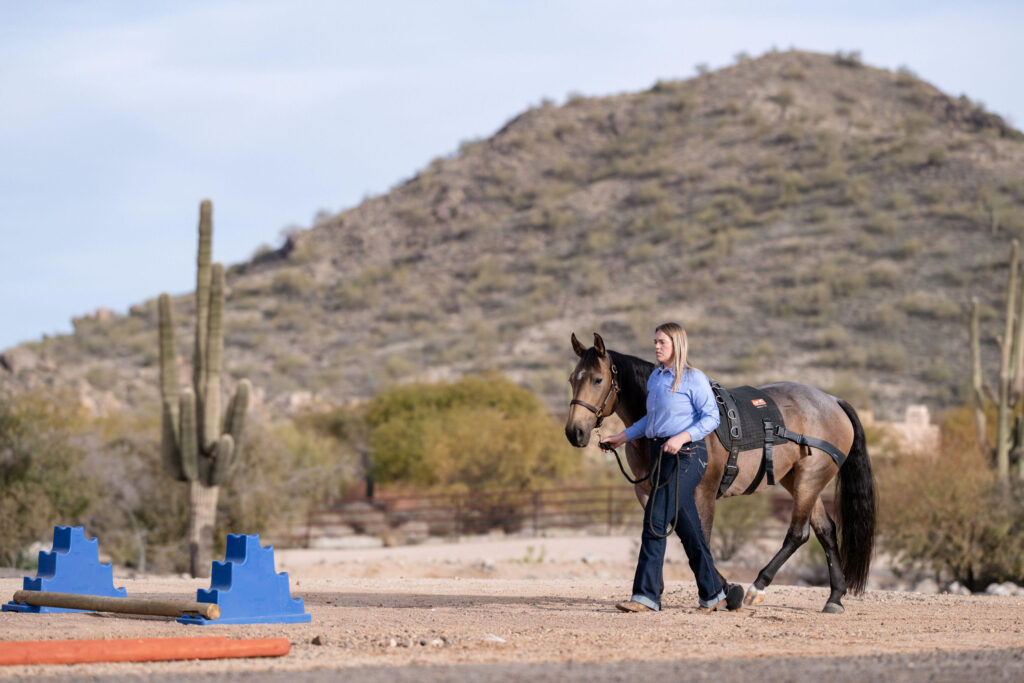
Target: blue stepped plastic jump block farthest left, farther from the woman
{"points": [[72, 567]]}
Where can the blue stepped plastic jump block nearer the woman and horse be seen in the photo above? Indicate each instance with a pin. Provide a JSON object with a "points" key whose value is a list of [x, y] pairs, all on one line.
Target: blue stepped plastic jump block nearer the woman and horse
{"points": [[247, 588]]}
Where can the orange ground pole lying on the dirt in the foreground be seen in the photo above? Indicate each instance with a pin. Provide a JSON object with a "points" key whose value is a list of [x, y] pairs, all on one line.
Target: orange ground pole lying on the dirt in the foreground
{"points": [[138, 650]]}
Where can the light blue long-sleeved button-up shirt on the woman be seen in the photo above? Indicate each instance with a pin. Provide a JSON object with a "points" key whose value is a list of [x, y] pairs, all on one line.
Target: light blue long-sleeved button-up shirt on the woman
{"points": [[691, 408]]}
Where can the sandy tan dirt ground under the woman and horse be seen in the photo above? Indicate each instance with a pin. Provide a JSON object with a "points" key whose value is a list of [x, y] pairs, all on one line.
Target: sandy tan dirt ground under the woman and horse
{"points": [[544, 610]]}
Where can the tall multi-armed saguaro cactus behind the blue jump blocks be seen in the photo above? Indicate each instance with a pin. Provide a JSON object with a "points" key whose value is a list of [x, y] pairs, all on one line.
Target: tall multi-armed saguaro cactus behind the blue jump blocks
{"points": [[195, 448]]}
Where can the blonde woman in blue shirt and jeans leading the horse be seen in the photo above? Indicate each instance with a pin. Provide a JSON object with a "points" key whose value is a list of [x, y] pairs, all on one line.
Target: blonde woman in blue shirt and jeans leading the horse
{"points": [[681, 411]]}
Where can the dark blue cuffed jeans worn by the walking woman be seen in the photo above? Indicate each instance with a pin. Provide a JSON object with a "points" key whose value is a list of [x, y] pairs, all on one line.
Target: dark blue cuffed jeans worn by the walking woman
{"points": [[659, 514]]}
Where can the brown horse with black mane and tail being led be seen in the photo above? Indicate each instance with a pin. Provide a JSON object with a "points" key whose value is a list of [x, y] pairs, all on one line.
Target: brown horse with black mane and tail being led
{"points": [[606, 382]]}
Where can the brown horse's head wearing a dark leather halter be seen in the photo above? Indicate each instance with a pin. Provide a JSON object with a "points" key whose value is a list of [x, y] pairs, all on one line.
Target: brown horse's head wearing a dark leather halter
{"points": [[595, 390]]}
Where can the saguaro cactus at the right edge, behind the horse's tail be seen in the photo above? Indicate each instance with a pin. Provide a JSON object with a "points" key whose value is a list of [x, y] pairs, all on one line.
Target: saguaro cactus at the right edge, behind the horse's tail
{"points": [[1010, 411]]}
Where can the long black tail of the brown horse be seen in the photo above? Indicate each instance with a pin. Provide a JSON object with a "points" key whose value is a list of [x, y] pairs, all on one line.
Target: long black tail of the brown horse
{"points": [[856, 494]]}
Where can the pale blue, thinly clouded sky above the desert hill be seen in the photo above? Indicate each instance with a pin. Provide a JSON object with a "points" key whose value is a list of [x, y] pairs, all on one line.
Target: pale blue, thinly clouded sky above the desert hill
{"points": [[118, 117]]}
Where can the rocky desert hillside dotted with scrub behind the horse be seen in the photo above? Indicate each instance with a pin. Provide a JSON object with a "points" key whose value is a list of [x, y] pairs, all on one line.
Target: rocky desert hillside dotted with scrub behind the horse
{"points": [[805, 217]]}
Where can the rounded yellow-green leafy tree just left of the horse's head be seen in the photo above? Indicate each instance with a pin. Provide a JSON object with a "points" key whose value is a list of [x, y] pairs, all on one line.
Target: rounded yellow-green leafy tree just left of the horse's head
{"points": [[482, 433]]}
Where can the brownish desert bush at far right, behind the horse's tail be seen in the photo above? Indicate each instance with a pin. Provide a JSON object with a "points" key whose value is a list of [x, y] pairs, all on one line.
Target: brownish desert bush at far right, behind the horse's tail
{"points": [[948, 517]]}
